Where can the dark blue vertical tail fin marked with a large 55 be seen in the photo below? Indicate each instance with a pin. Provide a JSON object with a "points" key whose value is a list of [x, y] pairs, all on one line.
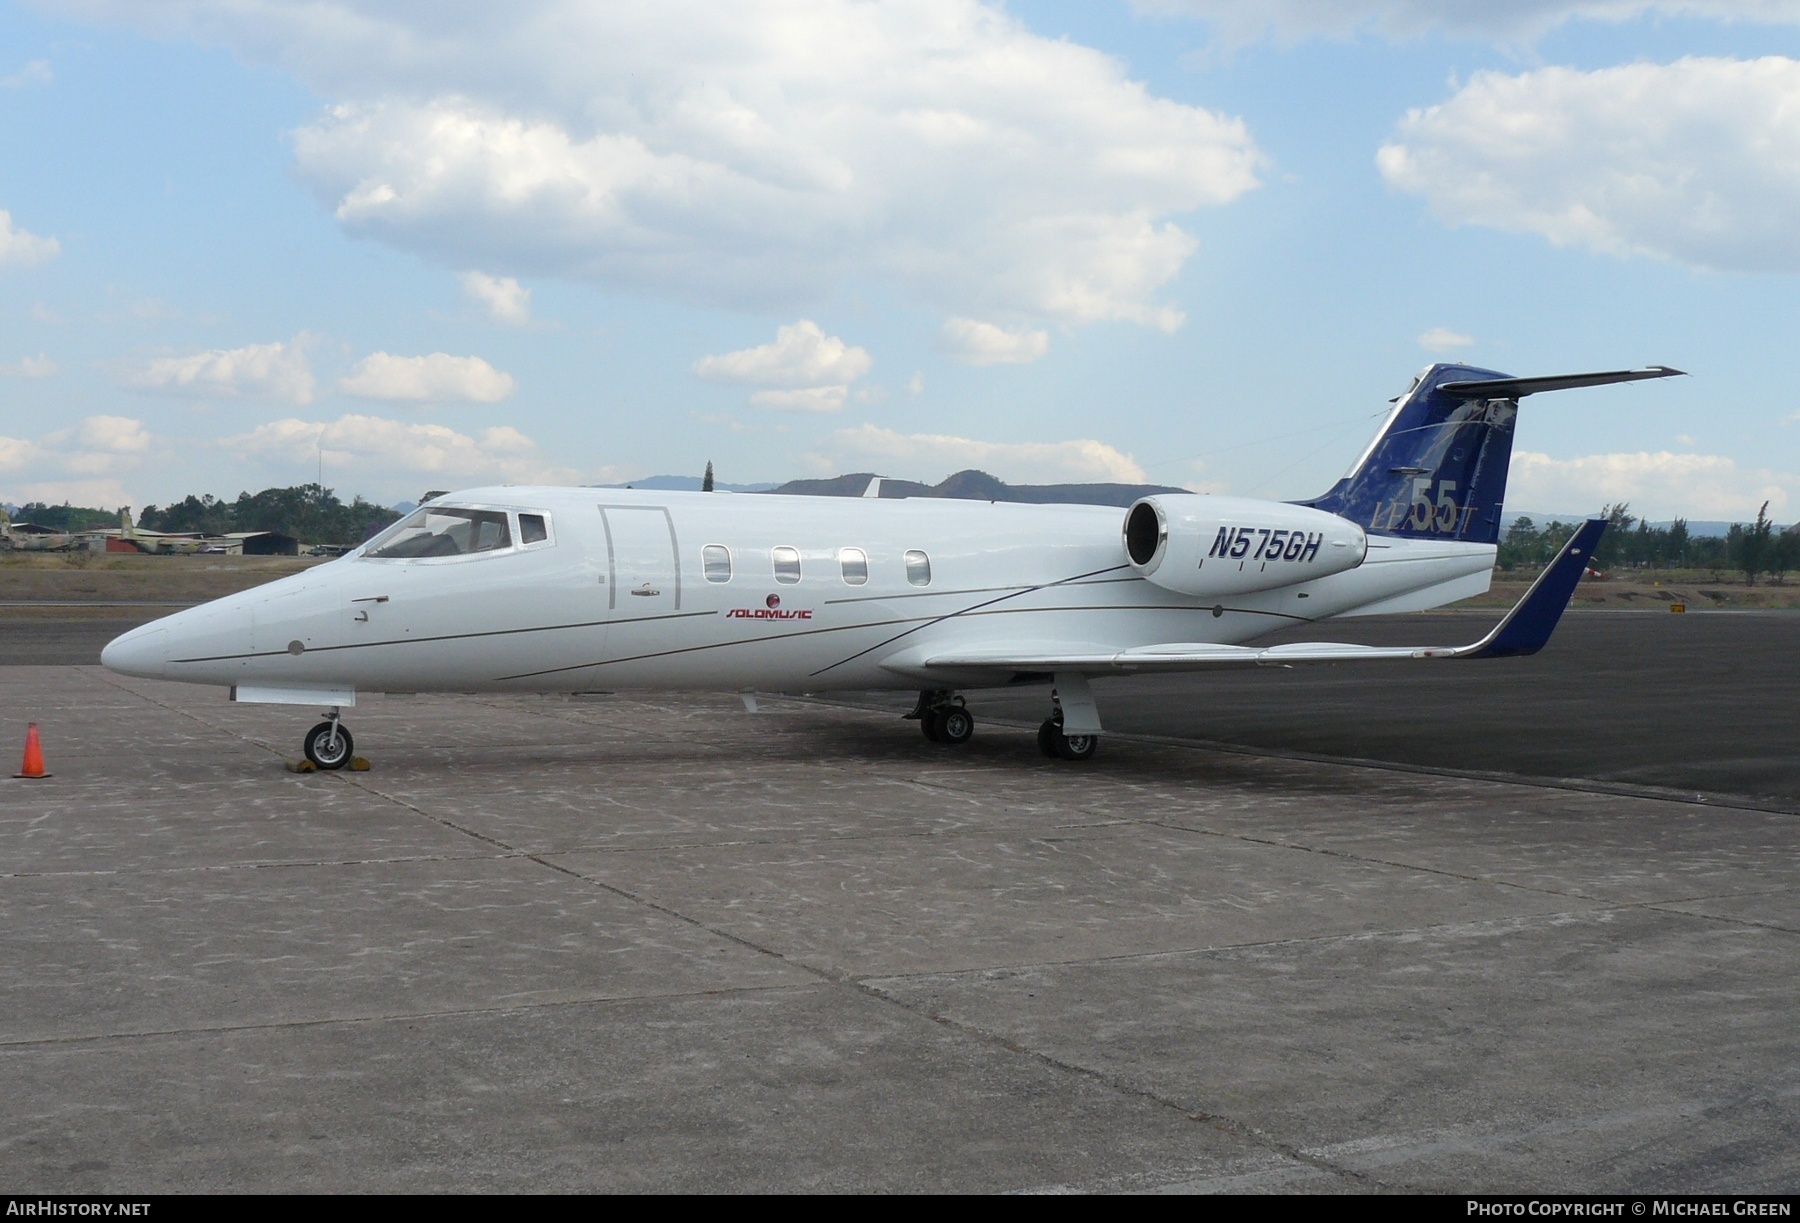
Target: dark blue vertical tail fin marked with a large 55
{"points": [[1439, 467]]}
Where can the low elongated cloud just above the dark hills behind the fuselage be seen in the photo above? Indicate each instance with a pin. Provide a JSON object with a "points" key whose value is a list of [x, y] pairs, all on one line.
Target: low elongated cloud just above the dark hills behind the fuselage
{"points": [[933, 457]]}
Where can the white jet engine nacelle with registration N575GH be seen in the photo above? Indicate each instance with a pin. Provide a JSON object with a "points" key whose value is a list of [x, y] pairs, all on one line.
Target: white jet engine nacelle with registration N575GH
{"points": [[1214, 547]]}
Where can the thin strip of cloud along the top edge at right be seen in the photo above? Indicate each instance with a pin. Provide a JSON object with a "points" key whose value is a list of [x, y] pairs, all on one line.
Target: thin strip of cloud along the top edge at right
{"points": [[1513, 21]]}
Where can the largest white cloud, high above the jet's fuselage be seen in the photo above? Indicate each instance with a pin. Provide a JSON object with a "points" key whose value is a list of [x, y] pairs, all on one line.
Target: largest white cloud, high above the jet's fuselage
{"points": [[753, 156]]}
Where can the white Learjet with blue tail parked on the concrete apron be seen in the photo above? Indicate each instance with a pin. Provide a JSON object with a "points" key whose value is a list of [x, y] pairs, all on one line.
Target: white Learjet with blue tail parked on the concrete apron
{"points": [[600, 590]]}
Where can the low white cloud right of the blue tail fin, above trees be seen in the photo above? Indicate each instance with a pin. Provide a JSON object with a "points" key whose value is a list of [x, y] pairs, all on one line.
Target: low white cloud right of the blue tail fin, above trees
{"points": [[1659, 485]]}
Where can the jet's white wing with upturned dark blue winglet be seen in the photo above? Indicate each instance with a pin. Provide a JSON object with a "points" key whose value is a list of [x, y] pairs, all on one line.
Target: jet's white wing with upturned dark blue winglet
{"points": [[1525, 630]]}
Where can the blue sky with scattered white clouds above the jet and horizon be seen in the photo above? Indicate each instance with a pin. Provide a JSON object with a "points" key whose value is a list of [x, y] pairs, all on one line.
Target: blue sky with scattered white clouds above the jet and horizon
{"points": [[1198, 242]]}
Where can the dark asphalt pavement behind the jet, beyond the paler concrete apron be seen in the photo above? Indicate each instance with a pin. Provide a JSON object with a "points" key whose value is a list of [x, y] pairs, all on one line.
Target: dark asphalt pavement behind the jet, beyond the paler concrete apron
{"points": [[1698, 703]]}
